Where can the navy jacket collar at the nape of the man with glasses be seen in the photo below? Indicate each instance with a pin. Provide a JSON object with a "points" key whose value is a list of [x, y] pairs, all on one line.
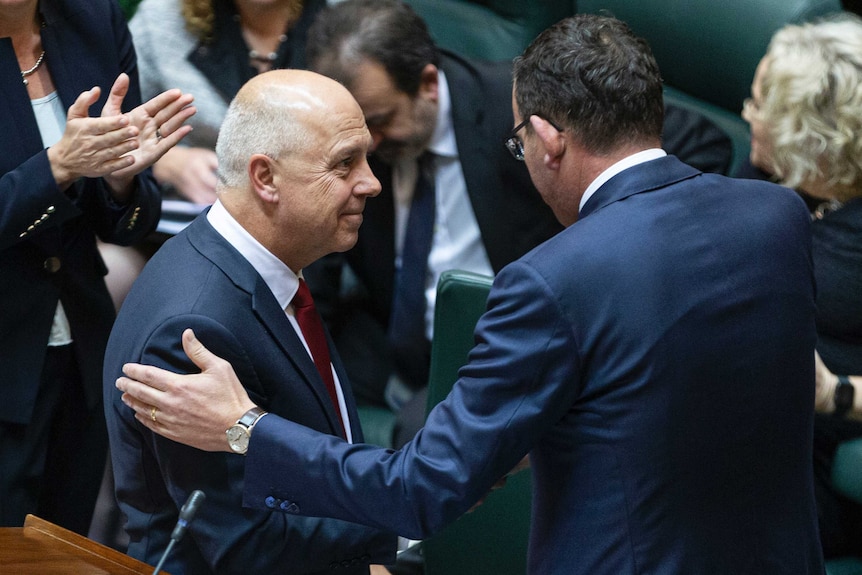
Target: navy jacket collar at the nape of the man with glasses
{"points": [[641, 178]]}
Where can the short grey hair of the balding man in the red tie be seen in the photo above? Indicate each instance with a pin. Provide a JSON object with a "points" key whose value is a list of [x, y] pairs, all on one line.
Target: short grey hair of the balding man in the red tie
{"points": [[259, 123]]}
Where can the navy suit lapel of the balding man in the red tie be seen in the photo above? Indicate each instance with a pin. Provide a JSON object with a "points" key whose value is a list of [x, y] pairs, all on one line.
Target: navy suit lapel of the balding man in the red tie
{"points": [[211, 245]]}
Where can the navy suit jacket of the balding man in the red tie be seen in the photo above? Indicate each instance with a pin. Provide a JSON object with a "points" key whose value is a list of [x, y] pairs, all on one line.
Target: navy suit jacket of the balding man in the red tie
{"points": [[198, 280]]}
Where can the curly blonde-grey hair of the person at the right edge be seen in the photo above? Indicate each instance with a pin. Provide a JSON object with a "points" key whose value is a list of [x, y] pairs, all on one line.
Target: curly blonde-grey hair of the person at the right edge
{"points": [[811, 101]]}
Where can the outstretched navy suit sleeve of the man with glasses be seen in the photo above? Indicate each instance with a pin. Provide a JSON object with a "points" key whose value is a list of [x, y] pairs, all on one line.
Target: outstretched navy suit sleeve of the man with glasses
{"points": [[521, 378]]}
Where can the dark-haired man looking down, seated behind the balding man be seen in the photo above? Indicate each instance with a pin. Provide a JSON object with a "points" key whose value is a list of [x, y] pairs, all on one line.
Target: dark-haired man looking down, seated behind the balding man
{"points": [[436, 115]]}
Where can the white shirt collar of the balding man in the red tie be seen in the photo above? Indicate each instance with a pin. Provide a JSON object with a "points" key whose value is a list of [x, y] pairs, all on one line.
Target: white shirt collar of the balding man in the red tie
{"points": [[279, 278]]}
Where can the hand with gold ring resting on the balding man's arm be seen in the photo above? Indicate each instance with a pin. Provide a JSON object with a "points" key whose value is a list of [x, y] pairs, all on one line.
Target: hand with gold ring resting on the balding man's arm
{"points": [[193, 409]]}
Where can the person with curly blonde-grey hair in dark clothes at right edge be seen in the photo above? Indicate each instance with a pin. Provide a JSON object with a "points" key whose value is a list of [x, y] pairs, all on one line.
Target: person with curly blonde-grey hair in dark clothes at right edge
{"points": [[805, 113]]}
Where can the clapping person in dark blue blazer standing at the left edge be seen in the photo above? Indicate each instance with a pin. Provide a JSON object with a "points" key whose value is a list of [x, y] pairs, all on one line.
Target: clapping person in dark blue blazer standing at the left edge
{"points": [[66, 178]]}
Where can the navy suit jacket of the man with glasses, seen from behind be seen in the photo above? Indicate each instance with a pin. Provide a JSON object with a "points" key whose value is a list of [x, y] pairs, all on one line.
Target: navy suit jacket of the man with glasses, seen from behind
{"points": [[656, 361]]}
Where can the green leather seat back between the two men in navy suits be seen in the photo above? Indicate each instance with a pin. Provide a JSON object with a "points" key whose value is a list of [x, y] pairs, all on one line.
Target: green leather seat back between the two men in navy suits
{"points": [[492, 540]]}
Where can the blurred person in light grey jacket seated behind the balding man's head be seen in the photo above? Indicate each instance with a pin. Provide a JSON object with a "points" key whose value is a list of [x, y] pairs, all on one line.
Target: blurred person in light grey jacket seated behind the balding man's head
{"points": [[211, 48]]}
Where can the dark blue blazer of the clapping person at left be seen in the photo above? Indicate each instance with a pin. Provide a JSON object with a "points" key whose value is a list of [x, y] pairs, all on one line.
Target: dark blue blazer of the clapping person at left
{"points": [[47, 236]]}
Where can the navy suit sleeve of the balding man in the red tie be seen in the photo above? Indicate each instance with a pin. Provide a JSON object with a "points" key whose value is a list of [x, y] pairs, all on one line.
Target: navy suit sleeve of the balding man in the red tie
{"points": [[233, 539]]}
